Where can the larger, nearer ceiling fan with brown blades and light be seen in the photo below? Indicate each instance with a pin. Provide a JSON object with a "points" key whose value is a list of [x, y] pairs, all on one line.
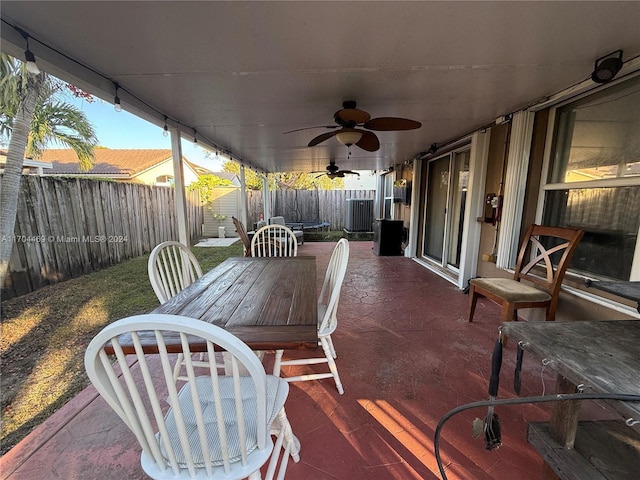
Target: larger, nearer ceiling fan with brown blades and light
{"points": [[349, 118]]}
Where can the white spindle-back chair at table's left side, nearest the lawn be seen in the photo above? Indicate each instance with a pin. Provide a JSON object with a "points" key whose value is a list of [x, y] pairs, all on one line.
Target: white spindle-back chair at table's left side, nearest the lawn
{"points": [[172, 268]]}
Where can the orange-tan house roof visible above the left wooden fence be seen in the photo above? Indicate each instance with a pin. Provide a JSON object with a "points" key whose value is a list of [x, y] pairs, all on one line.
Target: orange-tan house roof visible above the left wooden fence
{"points": [[107, 161]]}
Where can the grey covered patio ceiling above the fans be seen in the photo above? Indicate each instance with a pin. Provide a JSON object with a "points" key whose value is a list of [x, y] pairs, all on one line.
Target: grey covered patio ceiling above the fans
{"points": [[241, 74]]}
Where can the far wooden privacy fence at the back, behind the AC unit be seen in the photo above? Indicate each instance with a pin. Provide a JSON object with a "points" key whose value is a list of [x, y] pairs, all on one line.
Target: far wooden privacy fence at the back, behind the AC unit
{"points": [[306, 205]]}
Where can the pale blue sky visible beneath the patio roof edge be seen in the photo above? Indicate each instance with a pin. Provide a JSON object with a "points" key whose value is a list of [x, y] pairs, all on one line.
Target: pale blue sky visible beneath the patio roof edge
{"points": [[124, 130]]}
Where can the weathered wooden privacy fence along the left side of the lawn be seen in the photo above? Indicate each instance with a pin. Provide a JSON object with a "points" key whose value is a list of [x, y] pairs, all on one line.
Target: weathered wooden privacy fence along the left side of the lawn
{"points": [[67, 227]]}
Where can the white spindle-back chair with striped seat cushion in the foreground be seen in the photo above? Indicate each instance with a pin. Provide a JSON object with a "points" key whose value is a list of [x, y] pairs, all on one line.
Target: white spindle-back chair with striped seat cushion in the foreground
{"points": [[215, 426]]}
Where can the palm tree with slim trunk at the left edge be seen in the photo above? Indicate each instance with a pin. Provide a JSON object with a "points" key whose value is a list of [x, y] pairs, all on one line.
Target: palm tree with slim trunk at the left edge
{"points": [[30, 118]]}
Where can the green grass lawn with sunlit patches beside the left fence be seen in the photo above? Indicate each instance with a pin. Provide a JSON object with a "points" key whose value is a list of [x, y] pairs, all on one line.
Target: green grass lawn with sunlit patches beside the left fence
{"points": [[45, 333]]}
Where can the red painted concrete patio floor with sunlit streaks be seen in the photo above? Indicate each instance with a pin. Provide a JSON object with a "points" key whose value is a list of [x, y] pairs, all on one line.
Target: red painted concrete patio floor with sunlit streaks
{"points": [[406, 355]]}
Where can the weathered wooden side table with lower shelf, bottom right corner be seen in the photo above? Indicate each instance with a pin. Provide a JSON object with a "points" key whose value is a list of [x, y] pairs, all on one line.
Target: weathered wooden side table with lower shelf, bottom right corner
{"points": [[601, 357]]}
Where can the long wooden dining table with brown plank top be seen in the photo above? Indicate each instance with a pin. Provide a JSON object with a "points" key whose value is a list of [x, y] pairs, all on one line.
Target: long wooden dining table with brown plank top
{"points": [[268, 303]]}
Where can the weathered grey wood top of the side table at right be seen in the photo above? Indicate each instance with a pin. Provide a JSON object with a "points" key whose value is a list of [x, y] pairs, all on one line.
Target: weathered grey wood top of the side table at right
{"points": [[604, 356]]}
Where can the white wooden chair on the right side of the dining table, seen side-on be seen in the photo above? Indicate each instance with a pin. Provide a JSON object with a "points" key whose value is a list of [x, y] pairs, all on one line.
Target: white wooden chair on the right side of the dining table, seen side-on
{"points": [[328, 321]]}
